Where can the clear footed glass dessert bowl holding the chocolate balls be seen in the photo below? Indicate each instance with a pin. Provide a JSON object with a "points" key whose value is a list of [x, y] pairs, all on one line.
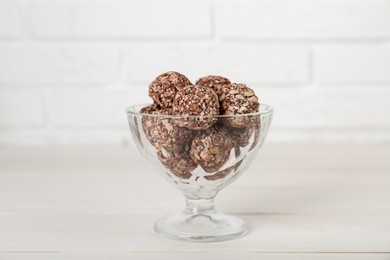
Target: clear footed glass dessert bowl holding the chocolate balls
{"points": [[199, 163]]}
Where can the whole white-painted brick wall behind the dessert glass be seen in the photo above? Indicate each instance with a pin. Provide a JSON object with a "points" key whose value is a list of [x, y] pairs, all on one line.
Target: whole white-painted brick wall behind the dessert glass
{"points": [[68, 68]]}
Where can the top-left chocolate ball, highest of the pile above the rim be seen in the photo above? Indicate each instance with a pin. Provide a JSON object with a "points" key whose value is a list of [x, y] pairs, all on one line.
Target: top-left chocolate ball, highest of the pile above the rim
{"points": [[163, 89]]}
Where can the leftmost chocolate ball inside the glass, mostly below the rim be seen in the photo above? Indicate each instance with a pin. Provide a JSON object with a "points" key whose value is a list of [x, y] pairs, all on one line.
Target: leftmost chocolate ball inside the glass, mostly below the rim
{"points": [[163, 132]]}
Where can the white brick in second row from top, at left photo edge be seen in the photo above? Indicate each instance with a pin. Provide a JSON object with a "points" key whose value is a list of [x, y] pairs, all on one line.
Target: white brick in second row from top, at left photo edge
{"points": [[41, 62]]}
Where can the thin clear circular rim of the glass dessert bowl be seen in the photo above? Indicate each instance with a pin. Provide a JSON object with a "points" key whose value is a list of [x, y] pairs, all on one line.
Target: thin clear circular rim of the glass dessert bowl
{"points": [[264, 110]]}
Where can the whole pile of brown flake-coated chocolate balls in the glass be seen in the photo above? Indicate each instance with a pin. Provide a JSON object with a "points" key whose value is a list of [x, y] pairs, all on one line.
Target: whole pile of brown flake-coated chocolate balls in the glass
{"points": [[200, 128]]}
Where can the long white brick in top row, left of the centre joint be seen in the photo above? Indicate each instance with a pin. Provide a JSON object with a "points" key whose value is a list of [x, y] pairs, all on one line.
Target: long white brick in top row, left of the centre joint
{"points": [[113, 18]]}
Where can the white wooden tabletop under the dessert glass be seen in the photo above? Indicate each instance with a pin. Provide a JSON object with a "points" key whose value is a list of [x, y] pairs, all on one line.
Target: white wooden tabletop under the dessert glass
{"points": [[101, 202]]}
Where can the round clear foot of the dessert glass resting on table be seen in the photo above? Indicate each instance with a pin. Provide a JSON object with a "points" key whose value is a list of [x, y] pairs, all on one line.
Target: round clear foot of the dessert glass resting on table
{"points": [[210, 227]]}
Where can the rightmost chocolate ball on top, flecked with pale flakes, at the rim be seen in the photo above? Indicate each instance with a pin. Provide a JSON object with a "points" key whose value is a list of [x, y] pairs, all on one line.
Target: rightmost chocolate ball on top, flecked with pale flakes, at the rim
{"points": [[238, 99]]}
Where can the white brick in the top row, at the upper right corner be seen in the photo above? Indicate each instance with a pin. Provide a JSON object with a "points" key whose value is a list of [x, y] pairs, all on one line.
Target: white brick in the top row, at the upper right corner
{"points": [[304, 19]]}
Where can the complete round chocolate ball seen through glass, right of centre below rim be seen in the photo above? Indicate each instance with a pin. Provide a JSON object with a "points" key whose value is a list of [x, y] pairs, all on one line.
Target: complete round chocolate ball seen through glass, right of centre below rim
{"points": [[211, 148]]}
